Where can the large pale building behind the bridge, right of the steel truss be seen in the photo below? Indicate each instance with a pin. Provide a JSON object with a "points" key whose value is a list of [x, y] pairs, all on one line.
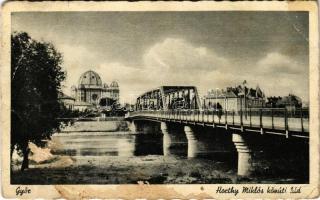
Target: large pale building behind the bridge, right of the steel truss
{"points": [[232, 98]]}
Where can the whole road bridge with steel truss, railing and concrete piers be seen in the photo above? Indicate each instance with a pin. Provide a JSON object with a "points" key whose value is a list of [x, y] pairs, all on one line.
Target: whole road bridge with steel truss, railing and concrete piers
{"points": [[181, 105]]}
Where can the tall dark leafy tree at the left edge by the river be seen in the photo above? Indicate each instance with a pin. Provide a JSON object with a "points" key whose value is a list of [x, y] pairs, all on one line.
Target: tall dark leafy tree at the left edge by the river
{"points": [[36, 77]]}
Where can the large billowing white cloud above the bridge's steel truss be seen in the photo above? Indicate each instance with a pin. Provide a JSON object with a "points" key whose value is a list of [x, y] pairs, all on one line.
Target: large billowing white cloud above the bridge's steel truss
{"points": [[176, 61]]}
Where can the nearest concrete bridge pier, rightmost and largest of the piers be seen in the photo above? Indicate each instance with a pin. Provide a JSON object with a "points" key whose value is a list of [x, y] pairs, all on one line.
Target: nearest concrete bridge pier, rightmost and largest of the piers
{"points": [[244, 154]]}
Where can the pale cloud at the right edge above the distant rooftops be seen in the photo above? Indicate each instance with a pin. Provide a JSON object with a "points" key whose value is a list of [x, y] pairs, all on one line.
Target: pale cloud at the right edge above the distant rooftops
{"points": [[279, 75]]}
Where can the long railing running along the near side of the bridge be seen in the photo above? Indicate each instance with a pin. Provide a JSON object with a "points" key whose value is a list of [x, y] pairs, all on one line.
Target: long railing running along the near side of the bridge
{"points": [[262, 118]]}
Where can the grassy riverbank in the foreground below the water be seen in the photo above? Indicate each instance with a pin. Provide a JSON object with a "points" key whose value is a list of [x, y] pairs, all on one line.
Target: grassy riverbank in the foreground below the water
{"points": [[153, 169]]}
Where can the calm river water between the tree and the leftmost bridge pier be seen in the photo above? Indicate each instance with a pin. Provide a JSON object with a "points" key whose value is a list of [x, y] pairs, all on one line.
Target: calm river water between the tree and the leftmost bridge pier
{"points": [[123, 144]]}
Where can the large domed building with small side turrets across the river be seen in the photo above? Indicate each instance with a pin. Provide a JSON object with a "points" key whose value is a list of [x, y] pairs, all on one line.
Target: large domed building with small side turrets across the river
{"points": [[90, 90]]}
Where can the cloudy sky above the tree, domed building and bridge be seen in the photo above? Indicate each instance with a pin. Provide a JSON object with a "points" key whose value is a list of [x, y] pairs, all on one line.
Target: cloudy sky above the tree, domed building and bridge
{"points": [[144, 50]]}
